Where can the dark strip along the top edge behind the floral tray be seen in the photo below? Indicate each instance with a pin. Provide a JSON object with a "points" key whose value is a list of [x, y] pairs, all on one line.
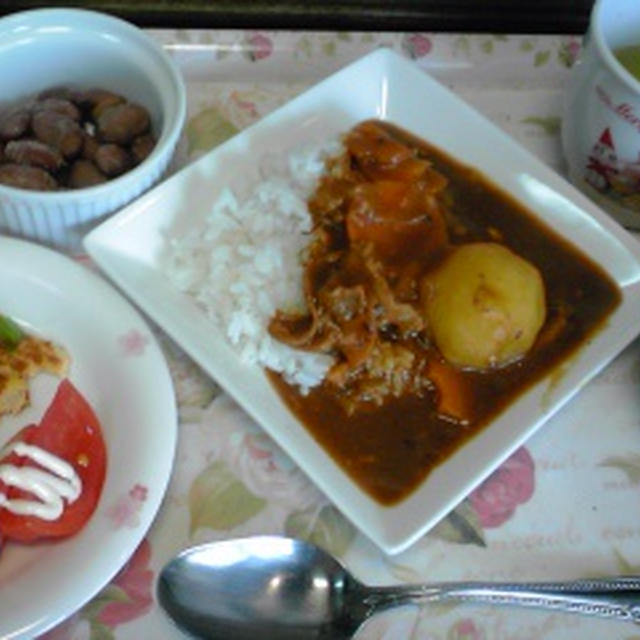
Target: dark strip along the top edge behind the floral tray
{"points": [[490, 16]]}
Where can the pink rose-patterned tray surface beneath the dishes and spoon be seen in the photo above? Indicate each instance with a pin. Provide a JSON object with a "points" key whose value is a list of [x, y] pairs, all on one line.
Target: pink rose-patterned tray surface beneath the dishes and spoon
{"points": [[566, 505]]}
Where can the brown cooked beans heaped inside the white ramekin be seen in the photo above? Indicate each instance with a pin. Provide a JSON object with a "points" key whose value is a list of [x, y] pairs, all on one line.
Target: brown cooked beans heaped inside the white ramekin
{"points": [[80, 137]]}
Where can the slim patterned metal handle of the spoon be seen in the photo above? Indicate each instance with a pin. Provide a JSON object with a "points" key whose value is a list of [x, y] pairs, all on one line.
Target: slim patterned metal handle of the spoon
{"points": [[617, 598]]}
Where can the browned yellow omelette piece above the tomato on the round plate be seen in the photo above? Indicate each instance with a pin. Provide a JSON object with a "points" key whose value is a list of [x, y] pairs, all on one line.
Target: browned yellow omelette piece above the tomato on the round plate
{"points": [[22, 356]]}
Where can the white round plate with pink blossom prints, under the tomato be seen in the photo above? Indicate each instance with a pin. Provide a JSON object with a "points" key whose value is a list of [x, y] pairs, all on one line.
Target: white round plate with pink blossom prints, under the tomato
{"points": [[118, 366]]}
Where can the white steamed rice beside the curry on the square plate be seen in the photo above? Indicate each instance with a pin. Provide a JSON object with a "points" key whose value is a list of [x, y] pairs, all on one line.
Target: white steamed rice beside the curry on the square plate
{"points": [[243, 262]]}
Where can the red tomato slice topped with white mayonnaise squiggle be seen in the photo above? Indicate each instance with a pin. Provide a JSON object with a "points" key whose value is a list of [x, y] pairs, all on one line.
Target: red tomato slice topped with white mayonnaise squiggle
{"points": [[70, 430]]}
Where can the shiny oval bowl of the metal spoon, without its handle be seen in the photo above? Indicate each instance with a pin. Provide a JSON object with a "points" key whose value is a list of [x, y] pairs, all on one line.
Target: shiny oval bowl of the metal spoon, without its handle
{"points": [[261, 587]]}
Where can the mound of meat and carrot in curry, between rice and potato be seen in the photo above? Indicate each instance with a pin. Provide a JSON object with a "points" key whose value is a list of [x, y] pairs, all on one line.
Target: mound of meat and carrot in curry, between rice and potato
{"points": [[376, 218]]}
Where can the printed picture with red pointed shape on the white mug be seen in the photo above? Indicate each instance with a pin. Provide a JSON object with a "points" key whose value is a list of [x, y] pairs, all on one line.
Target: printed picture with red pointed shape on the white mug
{"points": [[608, 174]]}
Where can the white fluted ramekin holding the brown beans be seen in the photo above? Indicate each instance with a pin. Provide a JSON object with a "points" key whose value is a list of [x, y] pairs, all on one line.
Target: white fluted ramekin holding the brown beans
{"points": [[45, 48]]}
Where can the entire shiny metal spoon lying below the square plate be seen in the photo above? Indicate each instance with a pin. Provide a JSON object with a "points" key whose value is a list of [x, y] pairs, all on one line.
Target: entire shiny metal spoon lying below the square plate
{"points": [[285, 589]]}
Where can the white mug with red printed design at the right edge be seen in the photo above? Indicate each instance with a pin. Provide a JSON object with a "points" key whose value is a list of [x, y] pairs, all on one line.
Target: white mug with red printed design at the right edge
{"points": [[601, 120]]}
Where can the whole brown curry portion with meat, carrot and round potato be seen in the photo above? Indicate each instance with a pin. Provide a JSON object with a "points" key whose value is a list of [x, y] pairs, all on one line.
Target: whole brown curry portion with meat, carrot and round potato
{"points": [[441, 299]]}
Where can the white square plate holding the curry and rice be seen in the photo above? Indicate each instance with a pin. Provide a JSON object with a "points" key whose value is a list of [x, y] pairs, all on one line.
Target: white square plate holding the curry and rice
{"points": [[381, 85]]}
